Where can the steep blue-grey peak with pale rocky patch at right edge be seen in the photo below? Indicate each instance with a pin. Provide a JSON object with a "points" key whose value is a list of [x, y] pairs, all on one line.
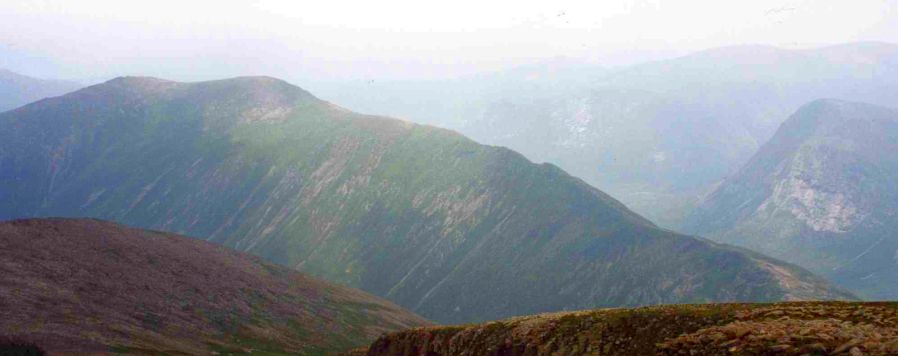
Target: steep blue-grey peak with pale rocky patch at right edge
{"points": [[821, 193]]}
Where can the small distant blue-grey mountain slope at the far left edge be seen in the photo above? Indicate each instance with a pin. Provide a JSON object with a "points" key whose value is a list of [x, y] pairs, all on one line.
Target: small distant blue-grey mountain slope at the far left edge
{"points": [[17, 90]]}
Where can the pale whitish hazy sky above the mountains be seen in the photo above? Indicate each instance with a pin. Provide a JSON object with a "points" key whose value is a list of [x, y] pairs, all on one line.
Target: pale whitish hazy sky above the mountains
{"points": [[193, 40]]}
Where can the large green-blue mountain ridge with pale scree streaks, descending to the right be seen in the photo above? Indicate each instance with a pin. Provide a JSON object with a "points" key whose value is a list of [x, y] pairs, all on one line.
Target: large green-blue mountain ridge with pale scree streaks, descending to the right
{"points": [[451, 229]]}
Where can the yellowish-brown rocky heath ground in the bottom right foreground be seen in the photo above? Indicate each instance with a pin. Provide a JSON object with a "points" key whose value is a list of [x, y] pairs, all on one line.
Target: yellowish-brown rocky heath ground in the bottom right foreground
{"points": [[800, 328]]}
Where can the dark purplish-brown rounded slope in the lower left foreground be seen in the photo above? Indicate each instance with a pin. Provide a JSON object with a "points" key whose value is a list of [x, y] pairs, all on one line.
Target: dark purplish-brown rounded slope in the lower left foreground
{"points": [[79, 286]]}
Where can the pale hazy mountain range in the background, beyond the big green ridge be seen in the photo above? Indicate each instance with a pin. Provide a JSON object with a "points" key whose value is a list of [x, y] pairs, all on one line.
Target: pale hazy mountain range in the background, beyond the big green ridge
{"points": [[656, 135]]}
